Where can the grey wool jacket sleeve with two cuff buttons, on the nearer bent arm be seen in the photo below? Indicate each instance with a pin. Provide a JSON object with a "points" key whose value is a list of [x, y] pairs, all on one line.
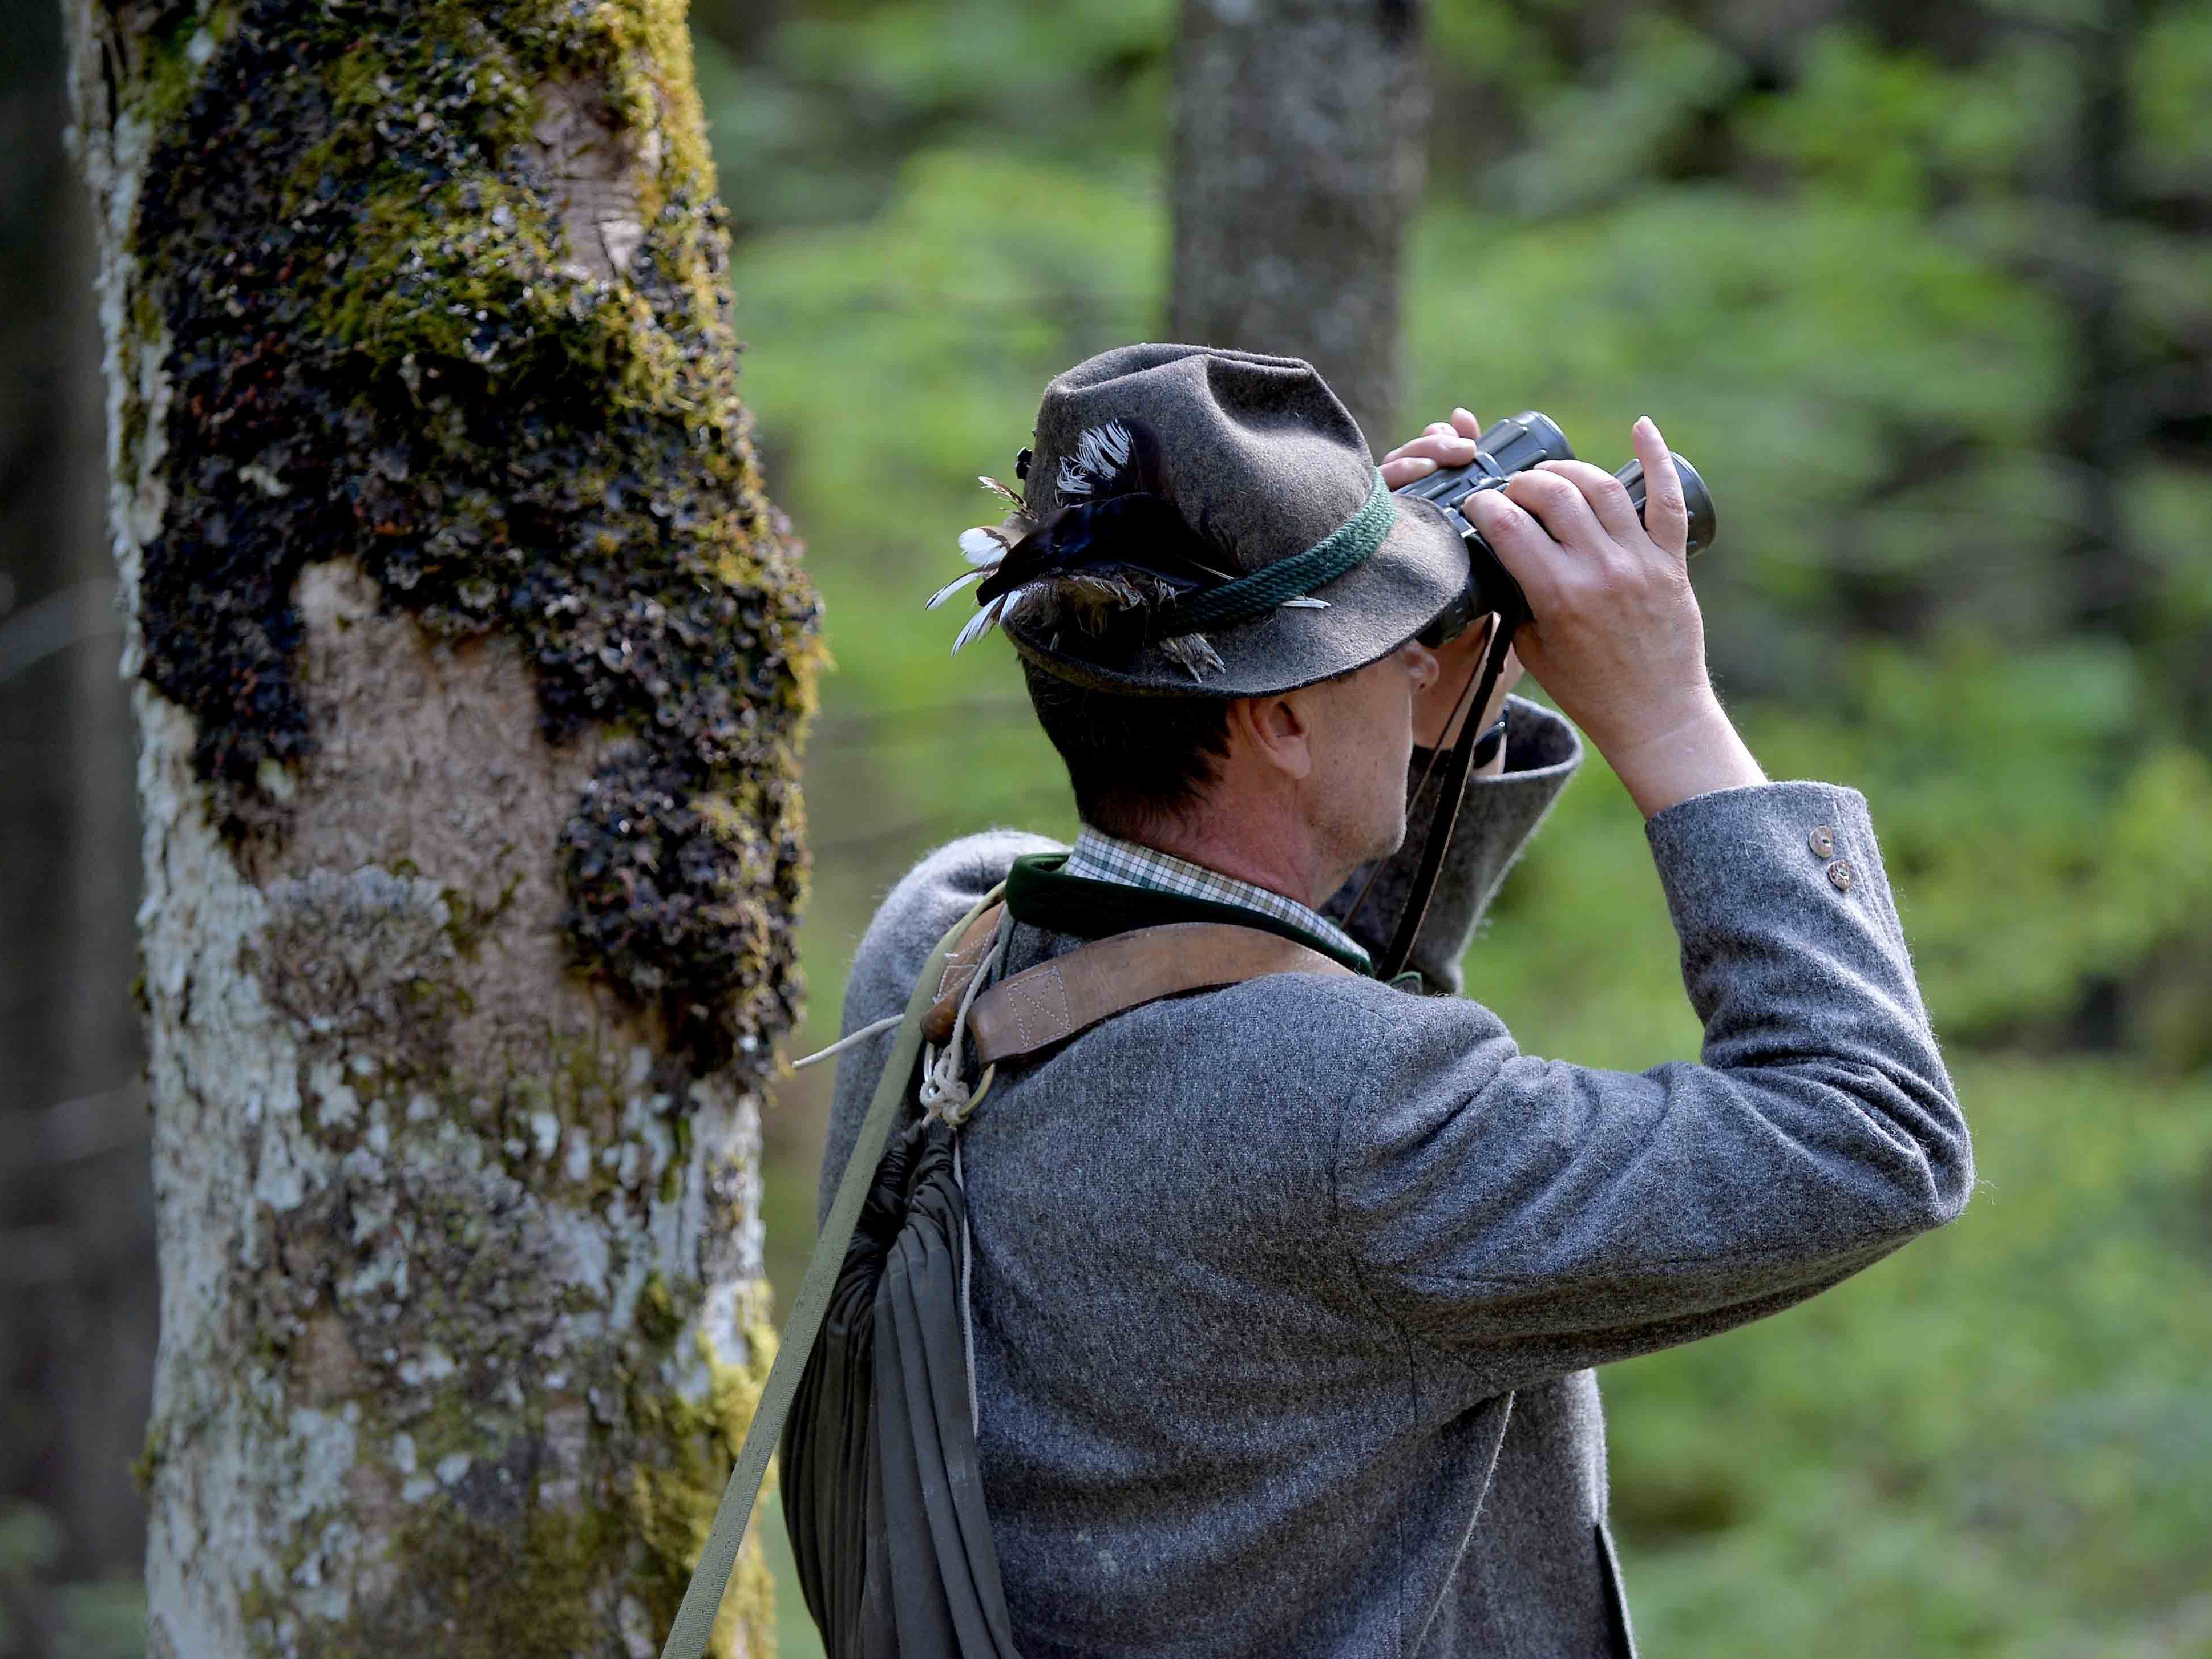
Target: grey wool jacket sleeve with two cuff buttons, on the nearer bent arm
{"points": [[1538, 1218]]}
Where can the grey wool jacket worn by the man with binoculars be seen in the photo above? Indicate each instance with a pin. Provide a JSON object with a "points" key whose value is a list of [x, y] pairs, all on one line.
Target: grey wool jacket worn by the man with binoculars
{"points": [[1286, 1295]]}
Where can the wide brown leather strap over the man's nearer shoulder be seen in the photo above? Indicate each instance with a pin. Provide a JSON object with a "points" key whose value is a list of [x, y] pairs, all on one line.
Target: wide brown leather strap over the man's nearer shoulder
{"points": [[1089, 985]]}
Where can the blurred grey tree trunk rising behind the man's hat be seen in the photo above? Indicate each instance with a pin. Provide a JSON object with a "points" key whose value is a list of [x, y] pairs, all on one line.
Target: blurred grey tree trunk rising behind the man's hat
{"points": [[1297, 167]]}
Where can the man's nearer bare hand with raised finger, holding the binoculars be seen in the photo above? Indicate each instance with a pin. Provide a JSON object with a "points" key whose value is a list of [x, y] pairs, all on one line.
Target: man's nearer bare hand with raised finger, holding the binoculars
{"points": [[1616, 632]]}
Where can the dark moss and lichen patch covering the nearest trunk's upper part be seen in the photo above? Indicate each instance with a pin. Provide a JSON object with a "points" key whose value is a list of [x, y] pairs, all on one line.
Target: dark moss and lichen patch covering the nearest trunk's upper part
{"points": [[364, 273]]}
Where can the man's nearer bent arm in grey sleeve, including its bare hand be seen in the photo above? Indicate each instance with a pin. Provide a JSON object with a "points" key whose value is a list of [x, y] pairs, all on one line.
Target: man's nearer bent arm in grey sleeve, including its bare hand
{"points": [[1541, 1218]]}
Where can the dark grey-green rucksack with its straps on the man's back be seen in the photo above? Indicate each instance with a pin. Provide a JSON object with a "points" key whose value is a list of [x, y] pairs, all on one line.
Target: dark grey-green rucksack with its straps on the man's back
{"points": [[875, 1390]]}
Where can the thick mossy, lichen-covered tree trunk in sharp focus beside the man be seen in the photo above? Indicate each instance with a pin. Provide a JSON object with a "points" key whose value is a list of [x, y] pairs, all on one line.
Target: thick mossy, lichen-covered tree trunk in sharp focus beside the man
{"points": [[470, 667]]}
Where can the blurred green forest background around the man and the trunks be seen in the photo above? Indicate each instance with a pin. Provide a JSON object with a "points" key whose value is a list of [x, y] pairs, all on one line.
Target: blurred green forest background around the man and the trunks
{"points": [[1926, 293]]}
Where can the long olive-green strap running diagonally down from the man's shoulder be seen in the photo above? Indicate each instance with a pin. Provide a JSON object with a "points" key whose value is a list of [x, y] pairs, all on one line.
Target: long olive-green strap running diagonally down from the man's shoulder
{"points": [[702, 1598]]}
